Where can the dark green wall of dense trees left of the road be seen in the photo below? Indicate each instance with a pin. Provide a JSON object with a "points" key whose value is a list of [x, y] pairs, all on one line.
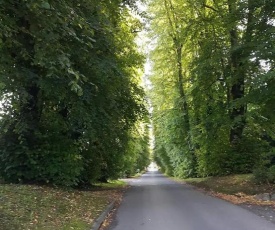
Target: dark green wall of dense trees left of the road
{"points": [[71, 101]]}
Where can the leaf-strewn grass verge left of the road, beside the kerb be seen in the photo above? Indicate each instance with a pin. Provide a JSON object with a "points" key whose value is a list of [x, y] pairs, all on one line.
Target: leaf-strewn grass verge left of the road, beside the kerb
{"points": [[47, 208]]}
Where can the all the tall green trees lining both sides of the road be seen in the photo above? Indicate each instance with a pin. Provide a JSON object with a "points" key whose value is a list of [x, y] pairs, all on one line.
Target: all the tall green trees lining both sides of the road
{"points": [[73, 109]]}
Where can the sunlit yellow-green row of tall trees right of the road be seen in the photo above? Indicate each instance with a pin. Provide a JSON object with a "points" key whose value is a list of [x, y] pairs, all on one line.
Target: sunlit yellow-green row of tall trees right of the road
{"points": [[213, 85]]}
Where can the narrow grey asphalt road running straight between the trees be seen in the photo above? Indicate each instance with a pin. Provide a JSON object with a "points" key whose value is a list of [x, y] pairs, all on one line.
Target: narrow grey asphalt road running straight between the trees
{"points": [[156, 203]]}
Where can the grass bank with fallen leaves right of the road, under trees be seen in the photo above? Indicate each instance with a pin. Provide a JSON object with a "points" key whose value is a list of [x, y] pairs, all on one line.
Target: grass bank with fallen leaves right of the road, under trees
{"points": [[232, 184]]}
